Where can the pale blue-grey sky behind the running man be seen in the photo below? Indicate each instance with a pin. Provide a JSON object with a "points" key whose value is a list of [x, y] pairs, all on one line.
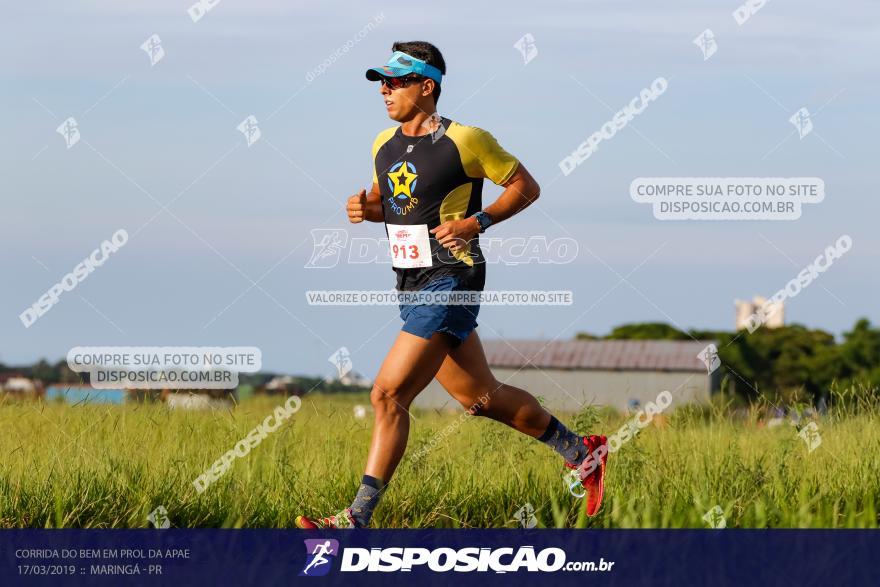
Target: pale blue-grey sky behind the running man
{"points": [[243, 213]]}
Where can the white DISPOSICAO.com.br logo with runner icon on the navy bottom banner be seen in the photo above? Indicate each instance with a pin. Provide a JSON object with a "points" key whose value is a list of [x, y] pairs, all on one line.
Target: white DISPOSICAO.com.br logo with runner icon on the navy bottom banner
{"points": [[444, 559]]}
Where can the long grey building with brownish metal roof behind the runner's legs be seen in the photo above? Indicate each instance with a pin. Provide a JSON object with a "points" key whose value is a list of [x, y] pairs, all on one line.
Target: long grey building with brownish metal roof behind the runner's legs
{"points": [[573, 373]]}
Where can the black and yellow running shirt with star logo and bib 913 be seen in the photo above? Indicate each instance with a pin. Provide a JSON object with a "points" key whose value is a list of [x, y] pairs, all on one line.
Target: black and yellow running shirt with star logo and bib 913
{"points": [[427, 180]]}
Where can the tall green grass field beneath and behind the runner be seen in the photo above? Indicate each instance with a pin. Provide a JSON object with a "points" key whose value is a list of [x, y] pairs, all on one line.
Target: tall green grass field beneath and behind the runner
{"points": [[109, 466]]}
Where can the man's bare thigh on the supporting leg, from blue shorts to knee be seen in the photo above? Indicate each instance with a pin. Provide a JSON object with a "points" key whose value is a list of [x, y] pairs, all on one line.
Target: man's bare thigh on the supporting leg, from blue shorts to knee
{"points": [[411, 364]]}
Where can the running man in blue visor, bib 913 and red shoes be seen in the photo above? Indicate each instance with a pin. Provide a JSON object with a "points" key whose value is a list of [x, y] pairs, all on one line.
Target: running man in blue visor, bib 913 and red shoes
{"points": [[427, 190]]}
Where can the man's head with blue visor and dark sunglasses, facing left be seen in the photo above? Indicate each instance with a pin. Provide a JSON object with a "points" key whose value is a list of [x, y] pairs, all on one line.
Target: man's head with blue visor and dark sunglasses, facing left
{"points": [[410, 81]]}
